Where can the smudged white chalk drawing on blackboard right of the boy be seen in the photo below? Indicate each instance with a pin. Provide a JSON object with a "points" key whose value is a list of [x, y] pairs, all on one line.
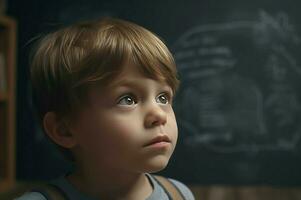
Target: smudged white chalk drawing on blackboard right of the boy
{"points": [[241, 85]]}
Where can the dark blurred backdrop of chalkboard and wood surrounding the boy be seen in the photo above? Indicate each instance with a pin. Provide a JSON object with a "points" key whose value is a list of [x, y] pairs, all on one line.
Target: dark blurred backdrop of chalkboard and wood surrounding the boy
{"points": [[238, 107]]}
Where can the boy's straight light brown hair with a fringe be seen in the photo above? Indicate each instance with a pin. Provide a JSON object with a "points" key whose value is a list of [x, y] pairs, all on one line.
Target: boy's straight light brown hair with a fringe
{"points": [[66, 62]]}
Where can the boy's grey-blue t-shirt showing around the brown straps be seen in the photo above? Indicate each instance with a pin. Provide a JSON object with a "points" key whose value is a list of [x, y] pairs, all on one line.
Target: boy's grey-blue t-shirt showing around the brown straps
{"points": [[73, 194]]}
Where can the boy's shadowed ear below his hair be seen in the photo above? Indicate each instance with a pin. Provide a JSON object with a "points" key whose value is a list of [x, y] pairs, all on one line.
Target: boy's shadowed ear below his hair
{"points": [[58, 131]]}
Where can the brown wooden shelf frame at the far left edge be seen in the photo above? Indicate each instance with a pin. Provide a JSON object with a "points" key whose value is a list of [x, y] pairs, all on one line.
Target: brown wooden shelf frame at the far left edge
{"points": [[7, 99]]}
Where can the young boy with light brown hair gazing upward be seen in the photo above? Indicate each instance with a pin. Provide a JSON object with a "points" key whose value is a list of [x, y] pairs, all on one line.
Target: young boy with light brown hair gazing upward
{"points": [[103, 91]]}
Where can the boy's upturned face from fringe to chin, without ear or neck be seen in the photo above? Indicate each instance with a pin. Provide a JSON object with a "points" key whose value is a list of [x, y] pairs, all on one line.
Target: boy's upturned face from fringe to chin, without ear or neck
{"points": [[122, 118]]}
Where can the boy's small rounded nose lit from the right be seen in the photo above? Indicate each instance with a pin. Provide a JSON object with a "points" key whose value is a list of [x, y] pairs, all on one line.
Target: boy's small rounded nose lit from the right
{"points": [[155, 116]]}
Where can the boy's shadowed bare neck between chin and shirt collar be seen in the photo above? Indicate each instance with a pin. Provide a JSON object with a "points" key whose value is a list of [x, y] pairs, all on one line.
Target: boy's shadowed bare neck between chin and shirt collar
{"points": [[111, 184]]}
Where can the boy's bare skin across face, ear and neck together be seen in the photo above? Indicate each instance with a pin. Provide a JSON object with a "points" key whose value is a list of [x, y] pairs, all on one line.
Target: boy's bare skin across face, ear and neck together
{"points": [[108, 137]]}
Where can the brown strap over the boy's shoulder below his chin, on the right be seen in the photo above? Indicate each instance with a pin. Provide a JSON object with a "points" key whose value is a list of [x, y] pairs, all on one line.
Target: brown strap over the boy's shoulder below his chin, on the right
{"points": [[169, 187]]}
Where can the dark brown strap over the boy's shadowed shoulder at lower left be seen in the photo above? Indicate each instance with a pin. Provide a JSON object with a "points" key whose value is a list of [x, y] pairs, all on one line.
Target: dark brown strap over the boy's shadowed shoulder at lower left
{"points": [[50, 192]]}
